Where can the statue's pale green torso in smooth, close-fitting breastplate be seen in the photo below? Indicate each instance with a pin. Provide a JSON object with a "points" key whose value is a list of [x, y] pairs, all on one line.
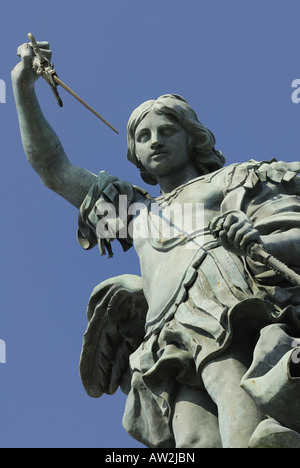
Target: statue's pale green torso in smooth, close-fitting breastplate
{"points": [[167, 249]]}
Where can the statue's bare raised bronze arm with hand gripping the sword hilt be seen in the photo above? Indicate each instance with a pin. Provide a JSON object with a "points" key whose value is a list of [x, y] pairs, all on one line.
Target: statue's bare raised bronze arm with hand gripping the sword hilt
{"points": [[43, 148]]}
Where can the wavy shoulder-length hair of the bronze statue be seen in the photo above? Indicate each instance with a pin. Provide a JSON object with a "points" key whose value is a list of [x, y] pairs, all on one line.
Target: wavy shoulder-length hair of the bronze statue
{"points": [[201, 141]]}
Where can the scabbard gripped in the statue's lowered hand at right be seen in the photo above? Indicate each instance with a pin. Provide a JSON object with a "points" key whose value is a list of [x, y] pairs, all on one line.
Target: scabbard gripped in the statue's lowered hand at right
{"points": [[259, 254]]}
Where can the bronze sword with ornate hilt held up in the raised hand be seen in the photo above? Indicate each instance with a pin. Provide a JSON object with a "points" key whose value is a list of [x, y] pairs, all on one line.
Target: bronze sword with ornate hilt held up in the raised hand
{"points": [[50, 75]]}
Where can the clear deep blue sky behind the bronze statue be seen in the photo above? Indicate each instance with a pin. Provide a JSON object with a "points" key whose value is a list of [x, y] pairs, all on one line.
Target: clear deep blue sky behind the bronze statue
{"points": [[233, 60]]}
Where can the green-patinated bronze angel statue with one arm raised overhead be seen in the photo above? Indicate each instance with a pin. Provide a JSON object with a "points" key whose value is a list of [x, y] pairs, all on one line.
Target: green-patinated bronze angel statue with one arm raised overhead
{"points": [[205, 342]]}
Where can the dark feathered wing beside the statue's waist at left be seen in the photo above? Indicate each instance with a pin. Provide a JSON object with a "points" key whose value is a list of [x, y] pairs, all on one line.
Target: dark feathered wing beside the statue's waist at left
{"points": [[116, 313]]}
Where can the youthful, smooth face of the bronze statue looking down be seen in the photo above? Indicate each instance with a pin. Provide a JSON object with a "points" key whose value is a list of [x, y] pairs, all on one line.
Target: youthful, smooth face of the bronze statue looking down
{"points": [[161, 144]]}
